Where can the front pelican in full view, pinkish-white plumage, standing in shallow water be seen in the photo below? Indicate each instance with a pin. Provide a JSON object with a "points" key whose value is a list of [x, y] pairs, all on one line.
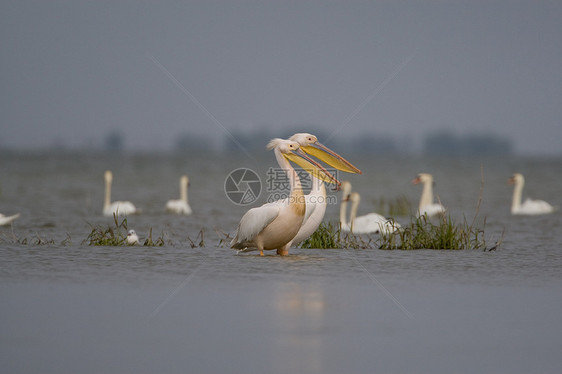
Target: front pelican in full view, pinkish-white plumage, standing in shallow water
{"points": [[274, 225]]}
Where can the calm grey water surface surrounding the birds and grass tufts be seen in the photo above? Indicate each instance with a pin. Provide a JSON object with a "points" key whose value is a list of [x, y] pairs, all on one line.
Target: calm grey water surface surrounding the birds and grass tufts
{"points": [[69, 307]]}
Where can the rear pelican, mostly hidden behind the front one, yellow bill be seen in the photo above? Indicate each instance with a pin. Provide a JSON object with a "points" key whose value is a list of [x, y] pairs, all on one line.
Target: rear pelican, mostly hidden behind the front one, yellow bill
{"points": [[316, 199]]}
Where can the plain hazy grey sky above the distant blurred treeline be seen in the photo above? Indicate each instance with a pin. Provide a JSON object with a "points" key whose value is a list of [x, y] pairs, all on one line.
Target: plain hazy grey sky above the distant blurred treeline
{"points": [[72, 71]]}
